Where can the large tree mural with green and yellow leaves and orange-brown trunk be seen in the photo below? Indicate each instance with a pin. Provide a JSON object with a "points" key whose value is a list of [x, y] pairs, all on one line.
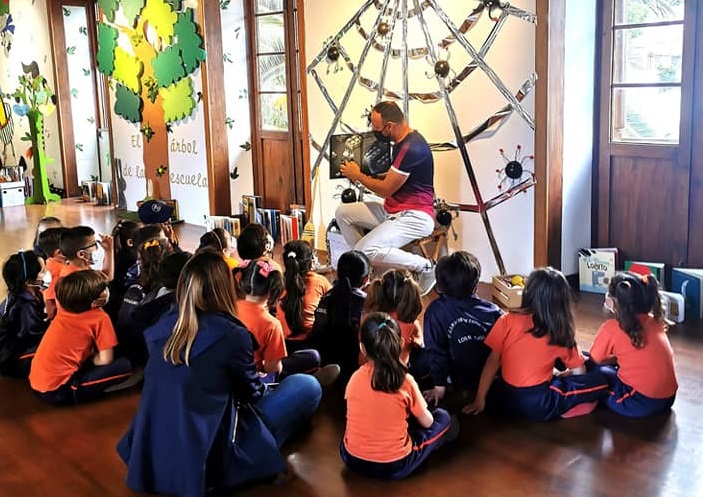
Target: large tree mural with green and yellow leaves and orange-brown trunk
{"points": [[150, 49]]}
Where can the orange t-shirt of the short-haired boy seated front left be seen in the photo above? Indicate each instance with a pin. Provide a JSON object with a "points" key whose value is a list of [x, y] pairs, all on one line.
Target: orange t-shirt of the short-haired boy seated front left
{"points": [[68, 343]]}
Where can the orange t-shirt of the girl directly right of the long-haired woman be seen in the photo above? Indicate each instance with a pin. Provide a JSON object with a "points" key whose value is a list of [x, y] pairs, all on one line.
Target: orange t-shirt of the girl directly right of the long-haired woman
{"points": [[266, 329]]}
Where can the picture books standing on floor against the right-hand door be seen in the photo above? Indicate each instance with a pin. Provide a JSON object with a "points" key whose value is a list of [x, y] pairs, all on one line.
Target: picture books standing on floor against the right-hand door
{"points": [[681, 293]]}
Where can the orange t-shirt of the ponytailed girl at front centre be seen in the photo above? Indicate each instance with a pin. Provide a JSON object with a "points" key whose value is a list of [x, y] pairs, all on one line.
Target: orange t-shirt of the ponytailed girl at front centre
{"points": [[377, 422]]}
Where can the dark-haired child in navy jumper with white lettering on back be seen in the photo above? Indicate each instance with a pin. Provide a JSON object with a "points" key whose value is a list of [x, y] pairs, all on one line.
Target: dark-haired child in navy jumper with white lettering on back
{"points": [[456, 325]]}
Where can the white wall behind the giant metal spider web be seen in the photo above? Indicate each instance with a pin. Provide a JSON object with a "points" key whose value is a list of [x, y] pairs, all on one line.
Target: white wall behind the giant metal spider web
{"points": [[512, 57]]}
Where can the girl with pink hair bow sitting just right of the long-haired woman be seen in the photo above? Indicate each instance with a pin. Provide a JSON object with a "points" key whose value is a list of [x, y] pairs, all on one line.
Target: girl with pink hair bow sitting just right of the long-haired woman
{"points": [[261, 283]]}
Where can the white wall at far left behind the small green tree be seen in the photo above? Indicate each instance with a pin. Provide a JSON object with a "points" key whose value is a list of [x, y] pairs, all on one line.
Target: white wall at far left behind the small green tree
{"points": [[30, 43]]}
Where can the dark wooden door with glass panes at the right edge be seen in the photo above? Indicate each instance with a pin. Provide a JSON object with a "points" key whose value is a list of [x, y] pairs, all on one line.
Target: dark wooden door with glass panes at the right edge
{"points": [[644, 166]]}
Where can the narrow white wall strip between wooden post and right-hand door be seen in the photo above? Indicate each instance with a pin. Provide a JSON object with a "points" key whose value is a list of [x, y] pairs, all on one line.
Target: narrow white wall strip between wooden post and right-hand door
{"points": [[578, 130]]}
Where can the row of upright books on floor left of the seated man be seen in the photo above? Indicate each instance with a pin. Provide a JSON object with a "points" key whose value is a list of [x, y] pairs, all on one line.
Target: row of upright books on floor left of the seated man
{"points": [[283, 227]]}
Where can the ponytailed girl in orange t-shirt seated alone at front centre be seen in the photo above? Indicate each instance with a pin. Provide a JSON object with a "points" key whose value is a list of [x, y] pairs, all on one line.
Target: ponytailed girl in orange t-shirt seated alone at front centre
{"points": [[382, 389]]}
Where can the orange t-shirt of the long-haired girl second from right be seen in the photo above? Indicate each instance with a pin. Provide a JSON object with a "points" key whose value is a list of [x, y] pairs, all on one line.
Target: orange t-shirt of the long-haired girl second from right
{"points": [[526, 360]]}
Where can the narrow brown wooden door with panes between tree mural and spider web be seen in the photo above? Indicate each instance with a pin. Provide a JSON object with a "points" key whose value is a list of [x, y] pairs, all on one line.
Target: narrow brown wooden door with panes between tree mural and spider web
{"points": [[277, 136]]}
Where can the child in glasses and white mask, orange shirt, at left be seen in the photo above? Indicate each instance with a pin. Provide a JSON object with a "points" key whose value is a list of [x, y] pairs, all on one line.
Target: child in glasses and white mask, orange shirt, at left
{"points": [[79, 247]]}
